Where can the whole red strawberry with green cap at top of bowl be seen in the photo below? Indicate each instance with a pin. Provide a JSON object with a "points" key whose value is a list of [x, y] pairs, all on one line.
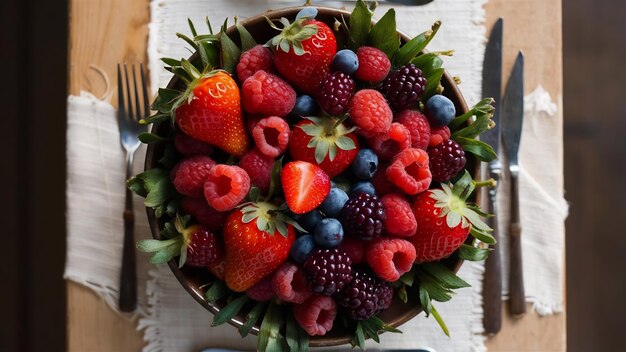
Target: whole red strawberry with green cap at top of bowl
{"points": [[303, 52]]}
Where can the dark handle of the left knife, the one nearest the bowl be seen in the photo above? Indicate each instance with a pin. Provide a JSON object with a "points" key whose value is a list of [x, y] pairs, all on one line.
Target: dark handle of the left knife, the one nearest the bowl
{"points": [[492, 283]]}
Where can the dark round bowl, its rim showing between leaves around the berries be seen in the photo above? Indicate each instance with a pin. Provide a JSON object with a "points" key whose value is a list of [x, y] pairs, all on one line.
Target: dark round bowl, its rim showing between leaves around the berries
{"points": [[191, 279]]}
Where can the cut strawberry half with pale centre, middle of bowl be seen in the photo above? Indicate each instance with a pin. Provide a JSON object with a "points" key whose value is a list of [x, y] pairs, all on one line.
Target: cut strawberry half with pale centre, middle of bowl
{"points": [[305, 186]]}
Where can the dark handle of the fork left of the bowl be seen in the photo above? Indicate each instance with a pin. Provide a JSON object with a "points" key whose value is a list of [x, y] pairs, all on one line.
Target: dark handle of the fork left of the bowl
{"points": [[128, 278]]}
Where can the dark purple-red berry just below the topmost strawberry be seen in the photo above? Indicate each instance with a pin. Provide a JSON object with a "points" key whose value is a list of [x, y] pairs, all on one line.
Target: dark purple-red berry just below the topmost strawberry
{"points": [[335, 92]]}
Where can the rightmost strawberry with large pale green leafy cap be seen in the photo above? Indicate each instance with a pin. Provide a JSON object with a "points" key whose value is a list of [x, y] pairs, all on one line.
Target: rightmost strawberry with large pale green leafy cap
{"points": [[444, 220]]}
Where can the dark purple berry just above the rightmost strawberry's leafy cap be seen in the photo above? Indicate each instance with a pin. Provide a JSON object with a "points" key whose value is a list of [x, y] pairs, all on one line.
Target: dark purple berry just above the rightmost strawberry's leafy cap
{"points": [[446, 160]]}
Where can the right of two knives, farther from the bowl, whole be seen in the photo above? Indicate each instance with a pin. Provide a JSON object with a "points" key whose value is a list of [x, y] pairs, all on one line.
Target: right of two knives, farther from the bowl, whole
{"points": [[512, 119]]}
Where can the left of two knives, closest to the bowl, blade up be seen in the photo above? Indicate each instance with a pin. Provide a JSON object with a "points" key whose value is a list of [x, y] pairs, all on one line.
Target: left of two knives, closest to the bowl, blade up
{"points": [[492, 87]]}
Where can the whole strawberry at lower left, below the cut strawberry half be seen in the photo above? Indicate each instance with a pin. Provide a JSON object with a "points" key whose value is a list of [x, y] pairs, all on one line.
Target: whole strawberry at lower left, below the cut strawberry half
{"points": [[257, 240]]}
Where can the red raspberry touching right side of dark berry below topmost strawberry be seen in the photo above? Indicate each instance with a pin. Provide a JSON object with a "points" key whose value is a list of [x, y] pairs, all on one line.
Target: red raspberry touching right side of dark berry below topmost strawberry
{"points": [[370, 113]]}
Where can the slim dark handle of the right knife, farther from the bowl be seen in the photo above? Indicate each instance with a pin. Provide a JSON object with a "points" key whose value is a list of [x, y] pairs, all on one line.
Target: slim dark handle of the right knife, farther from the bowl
{"points": [[517, 298]]}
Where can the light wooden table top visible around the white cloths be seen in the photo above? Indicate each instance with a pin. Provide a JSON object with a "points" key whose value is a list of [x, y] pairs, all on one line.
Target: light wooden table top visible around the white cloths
{"points": [[105, 32]]}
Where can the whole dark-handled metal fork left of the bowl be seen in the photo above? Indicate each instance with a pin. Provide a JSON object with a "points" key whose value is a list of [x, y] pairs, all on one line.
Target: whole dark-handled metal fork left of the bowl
{"points": [[128, 122]]}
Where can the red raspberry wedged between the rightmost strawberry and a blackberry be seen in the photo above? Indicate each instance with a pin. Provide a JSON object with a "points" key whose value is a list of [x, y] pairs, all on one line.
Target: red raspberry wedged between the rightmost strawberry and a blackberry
{"points": [[400, 219]]}
